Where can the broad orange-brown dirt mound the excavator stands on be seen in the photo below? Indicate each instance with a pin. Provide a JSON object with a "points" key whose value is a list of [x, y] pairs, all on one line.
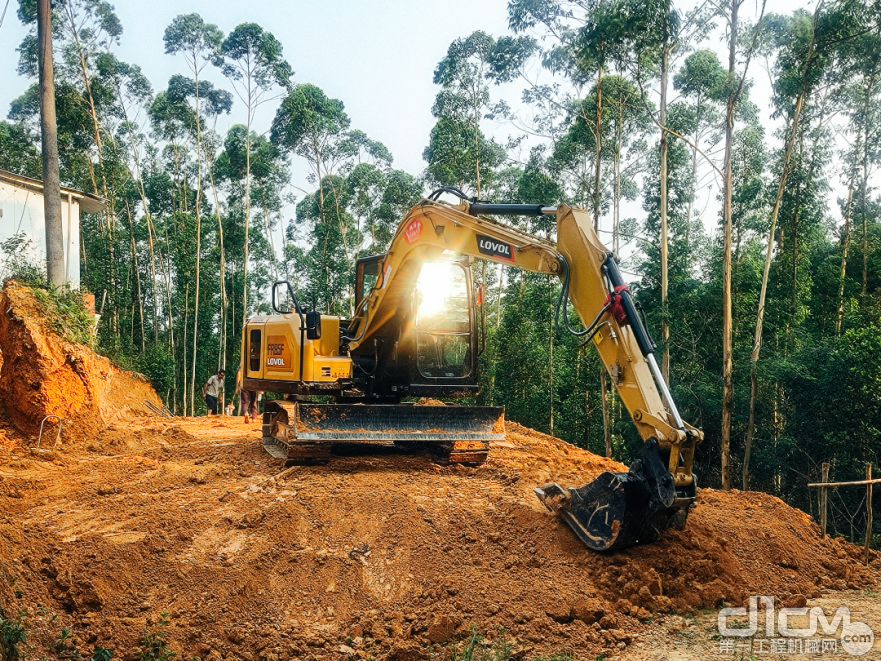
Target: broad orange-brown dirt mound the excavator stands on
{"points": [[375, 555]]}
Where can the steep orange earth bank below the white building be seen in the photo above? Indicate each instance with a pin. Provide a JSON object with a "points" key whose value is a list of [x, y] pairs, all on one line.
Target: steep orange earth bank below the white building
{"points": [[42, 374]]}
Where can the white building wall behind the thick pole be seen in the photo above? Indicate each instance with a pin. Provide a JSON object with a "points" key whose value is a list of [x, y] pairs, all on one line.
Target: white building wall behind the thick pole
{"points": [[21, 212]]}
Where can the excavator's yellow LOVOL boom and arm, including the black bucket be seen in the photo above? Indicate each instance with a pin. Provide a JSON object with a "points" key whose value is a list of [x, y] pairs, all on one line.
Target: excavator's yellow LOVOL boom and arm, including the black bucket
{"points": [[616, 509]]}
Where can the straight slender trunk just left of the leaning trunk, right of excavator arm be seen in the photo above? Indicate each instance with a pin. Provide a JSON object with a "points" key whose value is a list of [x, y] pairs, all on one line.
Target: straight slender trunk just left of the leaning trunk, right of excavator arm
{"points": [[727, 321]]}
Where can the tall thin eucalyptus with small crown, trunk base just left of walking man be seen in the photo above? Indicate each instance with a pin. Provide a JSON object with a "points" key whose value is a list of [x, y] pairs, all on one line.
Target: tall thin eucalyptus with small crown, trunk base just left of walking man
{"points": [[199, 43]]}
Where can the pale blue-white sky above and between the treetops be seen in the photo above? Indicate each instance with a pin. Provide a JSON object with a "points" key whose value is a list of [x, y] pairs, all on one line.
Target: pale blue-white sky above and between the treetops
{"points": [[377, 56]]}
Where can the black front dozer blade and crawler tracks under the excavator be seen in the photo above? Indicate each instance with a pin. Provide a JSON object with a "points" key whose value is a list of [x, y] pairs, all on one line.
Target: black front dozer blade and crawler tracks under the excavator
{"points": [[303, 433]]}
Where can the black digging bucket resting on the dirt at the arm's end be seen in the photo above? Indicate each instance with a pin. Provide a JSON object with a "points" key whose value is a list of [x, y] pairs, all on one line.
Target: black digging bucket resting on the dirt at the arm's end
{"points": [[618, 510]]}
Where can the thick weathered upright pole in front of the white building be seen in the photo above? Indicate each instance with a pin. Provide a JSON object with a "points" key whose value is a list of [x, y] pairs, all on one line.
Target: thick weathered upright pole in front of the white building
{"points": [[49, 140]]}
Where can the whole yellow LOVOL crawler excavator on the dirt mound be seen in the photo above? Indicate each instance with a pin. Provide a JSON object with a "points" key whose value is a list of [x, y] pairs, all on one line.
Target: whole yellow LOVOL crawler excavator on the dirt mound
{"points": [[415, 332]]}
